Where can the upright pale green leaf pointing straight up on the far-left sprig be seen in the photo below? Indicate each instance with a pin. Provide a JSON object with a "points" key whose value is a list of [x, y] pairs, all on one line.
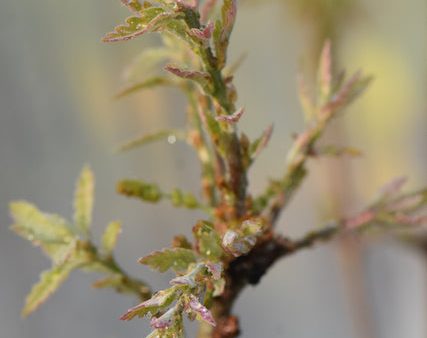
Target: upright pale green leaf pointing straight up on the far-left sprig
{"points": [[83, 200]]}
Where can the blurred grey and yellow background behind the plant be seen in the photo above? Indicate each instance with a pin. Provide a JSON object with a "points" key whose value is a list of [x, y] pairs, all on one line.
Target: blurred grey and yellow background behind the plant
{"points": [[57, 112]]}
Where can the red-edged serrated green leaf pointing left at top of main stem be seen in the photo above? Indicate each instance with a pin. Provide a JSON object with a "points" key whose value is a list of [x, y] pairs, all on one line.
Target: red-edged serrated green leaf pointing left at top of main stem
{"points": [[149, 20]]}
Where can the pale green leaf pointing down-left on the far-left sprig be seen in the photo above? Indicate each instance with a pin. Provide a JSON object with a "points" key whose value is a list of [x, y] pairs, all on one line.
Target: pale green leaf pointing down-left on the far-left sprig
{"points": [[49, 282]]}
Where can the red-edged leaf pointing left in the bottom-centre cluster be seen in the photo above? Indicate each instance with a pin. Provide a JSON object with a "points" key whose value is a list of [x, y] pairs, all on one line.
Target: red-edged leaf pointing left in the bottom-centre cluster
{"points": [[158, 302]]}
